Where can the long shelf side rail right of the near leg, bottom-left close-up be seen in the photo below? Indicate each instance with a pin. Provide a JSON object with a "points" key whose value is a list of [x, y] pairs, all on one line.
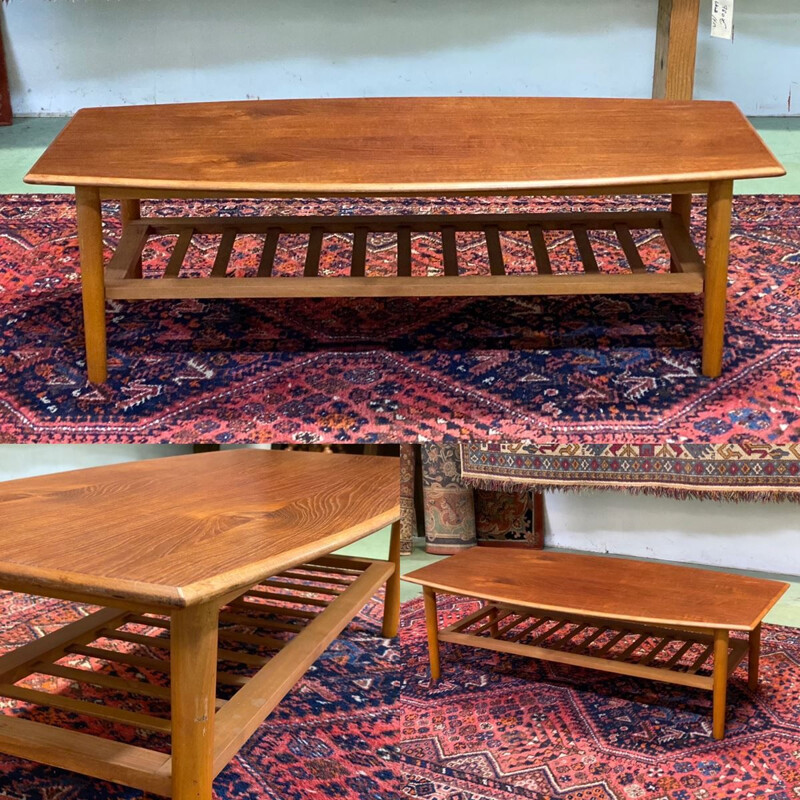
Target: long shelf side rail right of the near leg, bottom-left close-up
{"points": [[236, 722]]}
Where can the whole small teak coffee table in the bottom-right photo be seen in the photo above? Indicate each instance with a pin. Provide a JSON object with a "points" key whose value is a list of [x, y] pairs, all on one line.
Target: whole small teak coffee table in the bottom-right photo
{"points": [[644, 619]]}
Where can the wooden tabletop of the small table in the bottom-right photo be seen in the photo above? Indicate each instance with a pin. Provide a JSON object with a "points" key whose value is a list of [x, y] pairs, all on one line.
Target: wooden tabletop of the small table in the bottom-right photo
{"points": [[610, 588]]}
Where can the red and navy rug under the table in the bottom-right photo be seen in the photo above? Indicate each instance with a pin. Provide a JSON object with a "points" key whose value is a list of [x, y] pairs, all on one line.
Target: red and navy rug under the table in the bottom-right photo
{"points": [[499, 727]]}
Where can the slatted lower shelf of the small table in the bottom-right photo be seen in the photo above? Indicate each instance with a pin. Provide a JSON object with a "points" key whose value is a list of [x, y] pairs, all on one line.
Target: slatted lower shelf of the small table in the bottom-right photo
{"points": [[664, 654]]}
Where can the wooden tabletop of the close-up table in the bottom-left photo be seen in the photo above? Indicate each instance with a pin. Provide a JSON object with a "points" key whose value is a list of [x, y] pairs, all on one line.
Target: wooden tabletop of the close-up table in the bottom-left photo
{"points": [[176, 531]]}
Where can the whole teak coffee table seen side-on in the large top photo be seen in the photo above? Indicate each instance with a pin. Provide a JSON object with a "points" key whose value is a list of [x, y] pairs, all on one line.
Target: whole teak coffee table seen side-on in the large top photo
{"points": [[411, 146]]}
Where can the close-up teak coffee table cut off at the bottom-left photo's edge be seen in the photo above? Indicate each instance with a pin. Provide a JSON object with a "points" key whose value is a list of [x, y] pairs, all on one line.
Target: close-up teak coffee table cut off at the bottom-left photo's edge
{"points": [[216, 580]]}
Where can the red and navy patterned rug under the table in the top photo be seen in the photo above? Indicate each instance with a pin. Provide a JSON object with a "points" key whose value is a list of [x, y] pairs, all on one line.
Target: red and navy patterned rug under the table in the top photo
{"points": [[602, 369]]}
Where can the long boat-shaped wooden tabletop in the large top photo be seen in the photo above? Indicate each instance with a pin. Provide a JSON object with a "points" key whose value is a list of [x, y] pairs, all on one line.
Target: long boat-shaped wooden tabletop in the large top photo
{"points": [[405, 145]]}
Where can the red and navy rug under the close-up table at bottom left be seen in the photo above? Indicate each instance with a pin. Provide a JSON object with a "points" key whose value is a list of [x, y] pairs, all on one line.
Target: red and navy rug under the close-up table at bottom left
{"points": [[328, 738]]}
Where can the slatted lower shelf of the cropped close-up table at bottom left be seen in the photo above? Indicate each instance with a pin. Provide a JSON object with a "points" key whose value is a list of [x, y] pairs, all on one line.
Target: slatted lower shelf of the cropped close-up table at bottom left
{"points": [[282, 624]]}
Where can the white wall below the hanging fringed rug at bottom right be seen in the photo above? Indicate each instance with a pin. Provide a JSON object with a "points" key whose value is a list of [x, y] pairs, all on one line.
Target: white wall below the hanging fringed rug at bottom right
{"points": [[758, 536]]}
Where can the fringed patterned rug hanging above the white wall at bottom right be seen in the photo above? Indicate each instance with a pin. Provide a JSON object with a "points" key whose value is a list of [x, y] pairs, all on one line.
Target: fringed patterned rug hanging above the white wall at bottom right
{"points": [[746, 471]]}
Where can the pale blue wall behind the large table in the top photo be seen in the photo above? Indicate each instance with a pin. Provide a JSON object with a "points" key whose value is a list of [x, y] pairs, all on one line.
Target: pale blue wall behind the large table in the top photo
{"points": [[64, 55]]}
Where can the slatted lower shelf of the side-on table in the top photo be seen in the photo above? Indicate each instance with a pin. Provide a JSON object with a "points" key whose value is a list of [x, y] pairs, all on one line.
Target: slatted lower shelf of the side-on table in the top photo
{"points": [[630, 274]]}
